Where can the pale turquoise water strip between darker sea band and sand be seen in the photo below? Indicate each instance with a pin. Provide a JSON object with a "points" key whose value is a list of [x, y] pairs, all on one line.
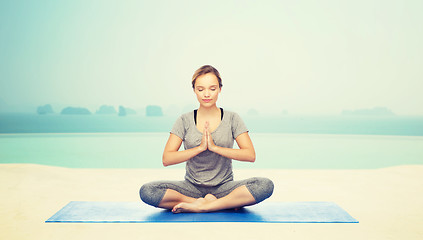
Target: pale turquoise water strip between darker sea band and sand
{"points": [[273, 150]]}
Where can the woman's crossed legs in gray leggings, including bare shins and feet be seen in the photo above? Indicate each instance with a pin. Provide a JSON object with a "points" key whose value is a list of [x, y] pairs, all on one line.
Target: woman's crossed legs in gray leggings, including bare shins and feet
{"points": [[182, 196]]}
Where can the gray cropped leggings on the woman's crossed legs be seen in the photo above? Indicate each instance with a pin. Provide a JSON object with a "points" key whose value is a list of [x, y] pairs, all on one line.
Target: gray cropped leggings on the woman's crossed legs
{"points": [[152, 193]]}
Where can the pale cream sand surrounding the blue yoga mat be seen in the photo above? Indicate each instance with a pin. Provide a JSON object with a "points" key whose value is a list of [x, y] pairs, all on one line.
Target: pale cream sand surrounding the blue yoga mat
{"points": [[388, 203]]}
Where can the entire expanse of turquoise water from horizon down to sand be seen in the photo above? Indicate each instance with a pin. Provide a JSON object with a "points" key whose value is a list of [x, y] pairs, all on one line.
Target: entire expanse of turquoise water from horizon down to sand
{"points": [[282, 142]]}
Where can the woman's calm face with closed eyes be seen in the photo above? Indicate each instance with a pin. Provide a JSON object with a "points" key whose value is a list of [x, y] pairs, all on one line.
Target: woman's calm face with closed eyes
{"points": [[207, 89]]}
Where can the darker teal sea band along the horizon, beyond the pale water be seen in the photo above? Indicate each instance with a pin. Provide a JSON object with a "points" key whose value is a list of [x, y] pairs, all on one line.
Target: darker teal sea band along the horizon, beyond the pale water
{"points": [[56, 123]]}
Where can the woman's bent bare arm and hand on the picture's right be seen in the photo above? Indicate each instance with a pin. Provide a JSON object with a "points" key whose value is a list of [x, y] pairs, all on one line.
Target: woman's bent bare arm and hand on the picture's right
{"points": [[245, 152]]}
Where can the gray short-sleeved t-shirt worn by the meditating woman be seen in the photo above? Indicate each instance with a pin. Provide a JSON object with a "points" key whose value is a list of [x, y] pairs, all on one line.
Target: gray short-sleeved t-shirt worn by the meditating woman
{"points": [[209, 168]]}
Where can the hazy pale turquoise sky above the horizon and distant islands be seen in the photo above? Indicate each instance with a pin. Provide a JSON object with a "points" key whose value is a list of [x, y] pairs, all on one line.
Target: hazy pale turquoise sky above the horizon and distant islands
{"points": [[303, 56]]}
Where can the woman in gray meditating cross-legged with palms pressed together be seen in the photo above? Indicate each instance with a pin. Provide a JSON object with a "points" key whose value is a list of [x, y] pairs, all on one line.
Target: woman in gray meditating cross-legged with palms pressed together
{"points": [[208, 135]]}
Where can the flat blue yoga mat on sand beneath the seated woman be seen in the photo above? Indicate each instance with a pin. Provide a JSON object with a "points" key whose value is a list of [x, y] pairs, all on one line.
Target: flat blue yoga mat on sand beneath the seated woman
{"points": [[134, 212]]}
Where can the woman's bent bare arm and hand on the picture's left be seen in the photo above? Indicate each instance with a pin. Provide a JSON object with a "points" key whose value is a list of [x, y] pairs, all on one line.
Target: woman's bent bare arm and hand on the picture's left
{"points": [[172, 156]]}
